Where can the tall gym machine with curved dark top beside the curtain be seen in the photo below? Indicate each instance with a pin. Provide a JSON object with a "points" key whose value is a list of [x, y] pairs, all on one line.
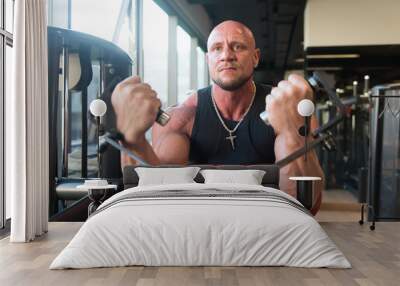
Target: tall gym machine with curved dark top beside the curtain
{"points": [[81, 68]]}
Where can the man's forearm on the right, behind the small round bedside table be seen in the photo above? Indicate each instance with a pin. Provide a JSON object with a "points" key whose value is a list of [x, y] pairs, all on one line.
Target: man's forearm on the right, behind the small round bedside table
{"points": [[299, 167]]}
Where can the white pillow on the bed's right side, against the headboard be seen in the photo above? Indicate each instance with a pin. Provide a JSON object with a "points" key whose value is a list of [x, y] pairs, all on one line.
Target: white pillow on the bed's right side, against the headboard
{"points": [[248, 177]]}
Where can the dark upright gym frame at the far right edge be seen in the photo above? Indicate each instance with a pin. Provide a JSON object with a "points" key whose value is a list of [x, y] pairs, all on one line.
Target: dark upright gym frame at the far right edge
{"points": [[383, 197]]}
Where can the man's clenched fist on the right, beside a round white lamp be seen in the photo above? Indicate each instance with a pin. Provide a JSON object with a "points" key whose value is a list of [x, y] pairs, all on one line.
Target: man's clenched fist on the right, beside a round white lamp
{"points": [[281, 105]]}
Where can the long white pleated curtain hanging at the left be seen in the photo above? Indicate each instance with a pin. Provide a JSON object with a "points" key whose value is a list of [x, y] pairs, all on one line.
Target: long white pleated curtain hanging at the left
{"points": [[27, 123]]}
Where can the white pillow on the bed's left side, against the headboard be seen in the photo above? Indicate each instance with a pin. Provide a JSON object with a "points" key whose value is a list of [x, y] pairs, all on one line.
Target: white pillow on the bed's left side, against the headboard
{"points": [[162, 176]]}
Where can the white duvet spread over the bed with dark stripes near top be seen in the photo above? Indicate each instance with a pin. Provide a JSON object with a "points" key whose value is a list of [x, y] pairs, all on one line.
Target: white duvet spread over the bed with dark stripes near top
{"points": [[200, 231]]}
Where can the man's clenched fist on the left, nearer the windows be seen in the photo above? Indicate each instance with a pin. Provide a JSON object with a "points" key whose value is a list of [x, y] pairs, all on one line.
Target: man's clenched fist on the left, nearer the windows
{"points": [[136, 106]]}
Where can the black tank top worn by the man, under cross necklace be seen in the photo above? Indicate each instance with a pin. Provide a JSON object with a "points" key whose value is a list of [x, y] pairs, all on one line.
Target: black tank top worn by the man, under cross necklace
{"points": [[254, 142]]}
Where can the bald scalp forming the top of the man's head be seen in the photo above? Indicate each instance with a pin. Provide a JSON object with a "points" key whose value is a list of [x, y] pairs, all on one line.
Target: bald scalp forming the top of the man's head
{"points": [[232, 28]]}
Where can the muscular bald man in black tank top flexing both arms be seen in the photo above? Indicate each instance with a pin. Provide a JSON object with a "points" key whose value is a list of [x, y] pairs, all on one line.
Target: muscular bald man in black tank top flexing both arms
{"points": [[220, 124]]}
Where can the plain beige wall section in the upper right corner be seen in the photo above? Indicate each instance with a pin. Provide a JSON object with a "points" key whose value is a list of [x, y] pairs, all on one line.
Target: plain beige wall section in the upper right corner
{"points": [[351, 23]]}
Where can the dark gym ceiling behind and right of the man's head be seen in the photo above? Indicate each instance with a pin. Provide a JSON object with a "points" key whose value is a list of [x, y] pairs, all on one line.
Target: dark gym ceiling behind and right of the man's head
{"points": [[278, 28]]}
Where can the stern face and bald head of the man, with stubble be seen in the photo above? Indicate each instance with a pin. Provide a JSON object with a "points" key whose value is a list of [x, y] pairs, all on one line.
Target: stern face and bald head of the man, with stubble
{"points": [[231, 56]]}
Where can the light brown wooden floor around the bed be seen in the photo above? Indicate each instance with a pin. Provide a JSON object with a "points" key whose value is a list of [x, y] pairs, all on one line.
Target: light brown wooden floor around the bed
{"points": [[374, 255]]}
